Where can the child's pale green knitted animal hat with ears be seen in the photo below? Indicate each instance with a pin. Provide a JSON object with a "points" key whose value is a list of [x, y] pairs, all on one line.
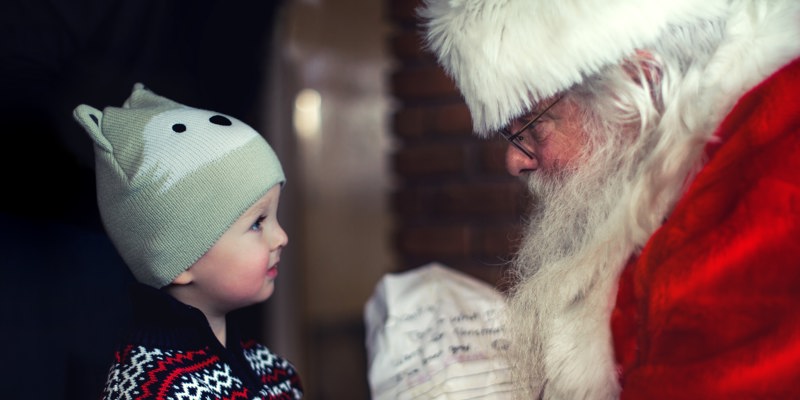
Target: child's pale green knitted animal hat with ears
{"points": [[171, 179]]}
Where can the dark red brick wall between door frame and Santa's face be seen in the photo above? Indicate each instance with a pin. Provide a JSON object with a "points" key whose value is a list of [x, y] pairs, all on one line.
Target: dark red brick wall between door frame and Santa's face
{"points": [[454, 202]]}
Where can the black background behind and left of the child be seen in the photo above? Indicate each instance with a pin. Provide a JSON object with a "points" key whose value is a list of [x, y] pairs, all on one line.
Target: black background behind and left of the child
{"points": [[63, 288]]}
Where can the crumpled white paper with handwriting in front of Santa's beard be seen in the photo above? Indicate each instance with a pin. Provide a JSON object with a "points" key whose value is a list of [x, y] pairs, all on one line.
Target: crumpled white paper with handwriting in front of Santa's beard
{"points": [[436, 333]]}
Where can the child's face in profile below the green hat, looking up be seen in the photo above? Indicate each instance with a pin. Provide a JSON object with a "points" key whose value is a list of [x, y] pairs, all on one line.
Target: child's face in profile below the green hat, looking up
{"points": [[240, 269]]}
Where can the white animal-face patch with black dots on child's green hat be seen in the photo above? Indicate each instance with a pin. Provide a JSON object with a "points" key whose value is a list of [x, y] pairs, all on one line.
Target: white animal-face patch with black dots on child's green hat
{"points": [[179, 141]]}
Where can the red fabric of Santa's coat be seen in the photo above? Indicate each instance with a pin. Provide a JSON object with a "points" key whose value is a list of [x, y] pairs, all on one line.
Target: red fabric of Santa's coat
{"points": [[711, 308]]}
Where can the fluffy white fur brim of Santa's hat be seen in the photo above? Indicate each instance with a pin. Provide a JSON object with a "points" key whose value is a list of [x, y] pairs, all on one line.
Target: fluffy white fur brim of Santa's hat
{"points": [[506, 56]]}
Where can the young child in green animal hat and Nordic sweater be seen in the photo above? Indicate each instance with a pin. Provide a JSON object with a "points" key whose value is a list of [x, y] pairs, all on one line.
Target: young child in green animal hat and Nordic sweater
{"points": [[189, 199]]}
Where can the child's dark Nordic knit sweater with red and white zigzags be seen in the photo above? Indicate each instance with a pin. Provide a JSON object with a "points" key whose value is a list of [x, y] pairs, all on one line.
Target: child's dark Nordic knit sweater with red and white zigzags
{"points": [[171, 353]]}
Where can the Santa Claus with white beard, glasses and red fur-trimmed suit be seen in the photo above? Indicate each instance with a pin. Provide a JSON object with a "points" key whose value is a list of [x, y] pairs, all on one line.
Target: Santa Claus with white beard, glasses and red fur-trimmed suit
{"points": [[661, 141]]}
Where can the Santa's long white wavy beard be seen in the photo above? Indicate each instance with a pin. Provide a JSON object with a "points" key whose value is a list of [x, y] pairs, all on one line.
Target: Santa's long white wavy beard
{"points": [[566, 271]]}
